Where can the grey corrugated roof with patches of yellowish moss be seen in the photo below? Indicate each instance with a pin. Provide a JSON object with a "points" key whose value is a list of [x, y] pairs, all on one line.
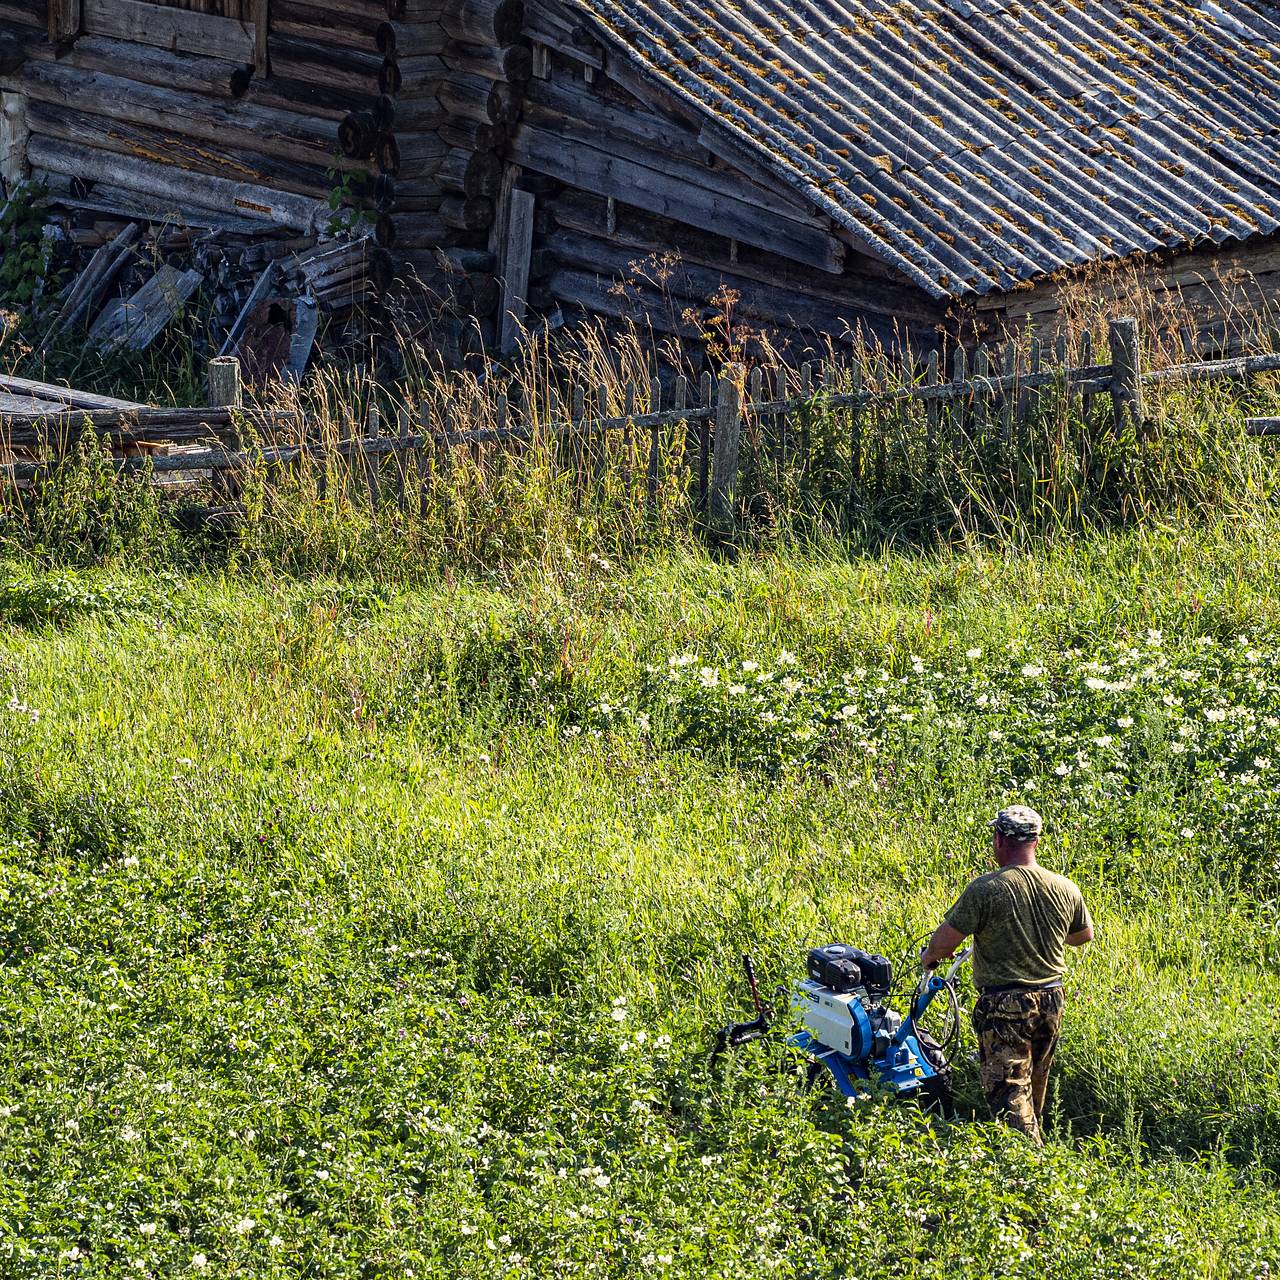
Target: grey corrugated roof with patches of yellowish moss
{"points": [[981, 144]]}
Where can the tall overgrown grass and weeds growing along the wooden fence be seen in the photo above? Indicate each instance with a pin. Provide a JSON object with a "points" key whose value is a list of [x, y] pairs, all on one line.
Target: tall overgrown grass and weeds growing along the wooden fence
{"points": [[1036, 464]]}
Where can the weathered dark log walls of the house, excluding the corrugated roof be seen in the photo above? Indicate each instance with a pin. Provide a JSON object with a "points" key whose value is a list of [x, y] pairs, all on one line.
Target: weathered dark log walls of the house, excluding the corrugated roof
{"points": [[515, 168]]}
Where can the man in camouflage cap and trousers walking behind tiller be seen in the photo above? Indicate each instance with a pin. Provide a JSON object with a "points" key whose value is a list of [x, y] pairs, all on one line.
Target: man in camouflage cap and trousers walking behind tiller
{"points": [[1022, 917]]}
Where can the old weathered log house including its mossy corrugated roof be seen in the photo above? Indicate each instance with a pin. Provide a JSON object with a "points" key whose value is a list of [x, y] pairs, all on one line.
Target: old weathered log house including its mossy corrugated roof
{"points": [[819, 170]]}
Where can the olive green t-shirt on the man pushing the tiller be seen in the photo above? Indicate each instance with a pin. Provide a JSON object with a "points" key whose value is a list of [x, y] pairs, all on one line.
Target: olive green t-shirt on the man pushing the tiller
{"points": [[1020, 918]]}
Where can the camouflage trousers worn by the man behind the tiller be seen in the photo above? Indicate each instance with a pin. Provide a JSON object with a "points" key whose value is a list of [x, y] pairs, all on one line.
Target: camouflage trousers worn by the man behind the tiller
{"points": [[1017, 1039]]}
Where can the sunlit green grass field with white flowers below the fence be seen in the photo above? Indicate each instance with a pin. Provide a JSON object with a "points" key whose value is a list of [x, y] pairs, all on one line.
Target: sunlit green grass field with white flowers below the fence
{"points": [[359, 931]]}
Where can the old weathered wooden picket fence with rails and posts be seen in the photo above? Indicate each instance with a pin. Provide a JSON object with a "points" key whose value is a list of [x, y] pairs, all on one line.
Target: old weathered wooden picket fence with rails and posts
{"points": [[994, 397]]}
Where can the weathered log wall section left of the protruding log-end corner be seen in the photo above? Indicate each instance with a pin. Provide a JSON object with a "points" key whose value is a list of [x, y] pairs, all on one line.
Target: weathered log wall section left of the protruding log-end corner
{"points": [[193, 109]]}
